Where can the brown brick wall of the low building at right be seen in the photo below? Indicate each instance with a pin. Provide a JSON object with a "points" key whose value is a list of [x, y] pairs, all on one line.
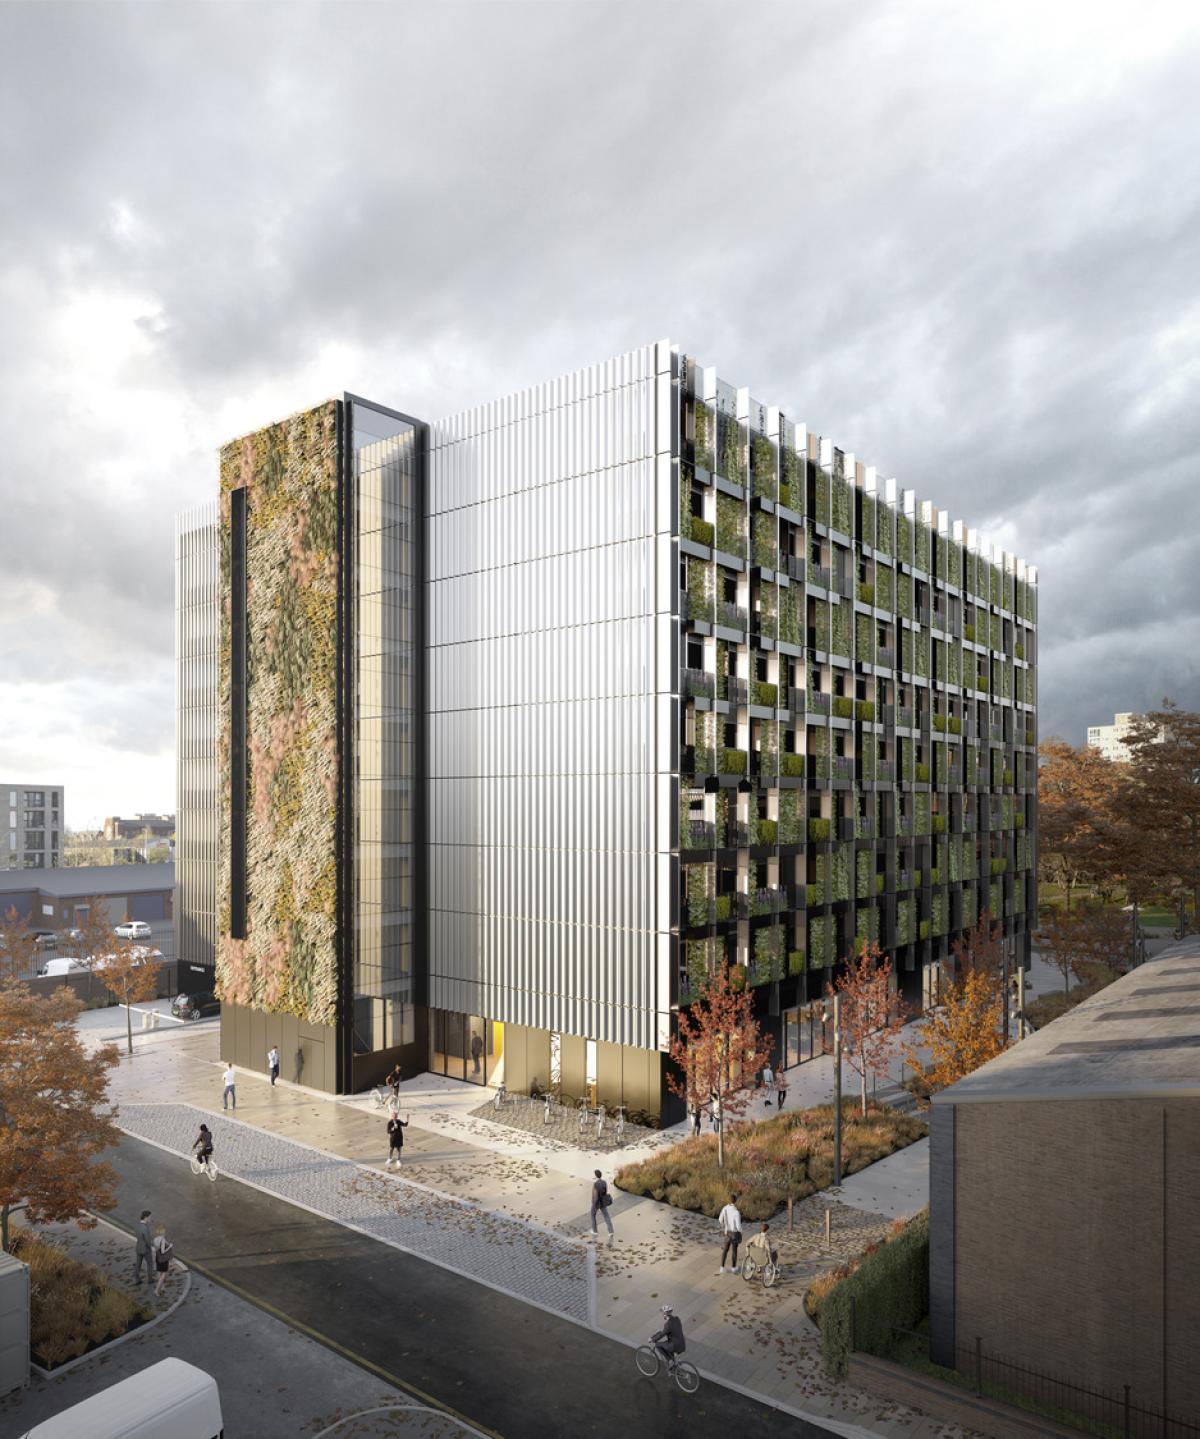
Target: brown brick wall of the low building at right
{"points": [[1077, 1243]]}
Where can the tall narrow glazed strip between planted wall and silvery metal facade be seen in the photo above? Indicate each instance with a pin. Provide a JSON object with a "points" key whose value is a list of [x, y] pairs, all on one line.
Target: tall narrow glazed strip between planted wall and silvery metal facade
{"points": [[386, 458]]}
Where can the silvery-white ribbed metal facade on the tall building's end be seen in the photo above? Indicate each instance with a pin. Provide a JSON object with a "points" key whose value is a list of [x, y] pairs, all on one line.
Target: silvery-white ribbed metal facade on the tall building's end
{"points": [[552, 658]]}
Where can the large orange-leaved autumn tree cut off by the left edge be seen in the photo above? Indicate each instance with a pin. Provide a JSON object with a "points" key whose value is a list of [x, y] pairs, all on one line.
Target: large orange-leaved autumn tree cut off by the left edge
{"points": [[55, 1117]]}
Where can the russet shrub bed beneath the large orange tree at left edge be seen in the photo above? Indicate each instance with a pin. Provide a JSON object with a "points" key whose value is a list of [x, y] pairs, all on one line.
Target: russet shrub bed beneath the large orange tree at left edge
{"points": [[74, 1309]]}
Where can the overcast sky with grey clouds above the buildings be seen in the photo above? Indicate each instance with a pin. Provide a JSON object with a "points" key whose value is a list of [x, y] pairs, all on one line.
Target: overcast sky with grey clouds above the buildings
{"points": [[960, 240]]}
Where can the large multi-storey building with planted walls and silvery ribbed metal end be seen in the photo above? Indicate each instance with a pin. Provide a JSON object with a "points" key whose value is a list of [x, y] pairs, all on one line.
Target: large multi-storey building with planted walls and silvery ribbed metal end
{"points": [[533, 716]]}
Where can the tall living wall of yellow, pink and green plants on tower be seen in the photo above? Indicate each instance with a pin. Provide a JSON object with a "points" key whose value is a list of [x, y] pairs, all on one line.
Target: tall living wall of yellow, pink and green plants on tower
{"points": [[288, 959]]}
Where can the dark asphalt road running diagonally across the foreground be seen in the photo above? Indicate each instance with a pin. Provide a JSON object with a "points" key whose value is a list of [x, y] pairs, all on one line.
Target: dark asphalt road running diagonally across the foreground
{"points": [[509, 1368]]}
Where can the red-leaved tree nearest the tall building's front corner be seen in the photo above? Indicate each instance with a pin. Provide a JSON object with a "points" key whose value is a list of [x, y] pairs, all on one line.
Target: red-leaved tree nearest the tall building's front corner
{"points": [[717, 1045]]}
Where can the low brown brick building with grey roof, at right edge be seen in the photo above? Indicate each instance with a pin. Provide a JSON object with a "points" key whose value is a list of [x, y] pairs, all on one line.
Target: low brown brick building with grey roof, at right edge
{"points": [[1065, 1234]]}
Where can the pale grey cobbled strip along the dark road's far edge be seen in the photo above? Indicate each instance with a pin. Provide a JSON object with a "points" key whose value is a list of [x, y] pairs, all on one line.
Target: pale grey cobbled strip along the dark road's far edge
{"points": [[483, 1245]]}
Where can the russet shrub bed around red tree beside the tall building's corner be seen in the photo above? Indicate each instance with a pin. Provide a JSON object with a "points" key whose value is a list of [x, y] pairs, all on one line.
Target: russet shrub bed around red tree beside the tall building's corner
{"points": [[769, 1162]]}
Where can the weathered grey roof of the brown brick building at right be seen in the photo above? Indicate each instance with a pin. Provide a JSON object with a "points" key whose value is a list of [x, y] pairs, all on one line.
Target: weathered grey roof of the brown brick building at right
{"points": [[1137, 1040]]}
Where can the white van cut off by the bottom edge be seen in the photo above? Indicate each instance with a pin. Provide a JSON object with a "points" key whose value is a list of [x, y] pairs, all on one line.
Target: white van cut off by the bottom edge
{"points": [[169, 1401]]}
